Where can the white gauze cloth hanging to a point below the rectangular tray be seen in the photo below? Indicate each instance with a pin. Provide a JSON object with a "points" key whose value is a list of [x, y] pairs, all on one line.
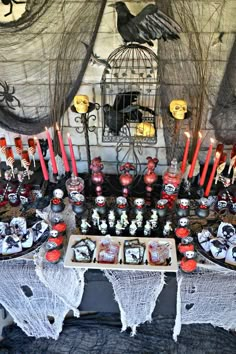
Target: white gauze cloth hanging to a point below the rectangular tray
{"points": [[136, 293]]}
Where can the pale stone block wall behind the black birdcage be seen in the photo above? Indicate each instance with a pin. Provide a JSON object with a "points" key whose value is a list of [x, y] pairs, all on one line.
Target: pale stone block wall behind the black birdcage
{"points": [[175, 76]]}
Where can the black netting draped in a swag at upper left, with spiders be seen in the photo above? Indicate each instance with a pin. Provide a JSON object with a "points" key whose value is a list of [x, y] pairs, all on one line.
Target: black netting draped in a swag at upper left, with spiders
{"points": [[43, 58]]}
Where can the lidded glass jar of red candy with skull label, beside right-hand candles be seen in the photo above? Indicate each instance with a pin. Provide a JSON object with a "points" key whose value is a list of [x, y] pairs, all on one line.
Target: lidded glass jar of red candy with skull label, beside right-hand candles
{"points": [[171, 183]]}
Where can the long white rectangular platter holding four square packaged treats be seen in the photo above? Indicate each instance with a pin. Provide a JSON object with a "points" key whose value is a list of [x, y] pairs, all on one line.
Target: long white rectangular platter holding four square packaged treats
{"points": [[172, 265]]}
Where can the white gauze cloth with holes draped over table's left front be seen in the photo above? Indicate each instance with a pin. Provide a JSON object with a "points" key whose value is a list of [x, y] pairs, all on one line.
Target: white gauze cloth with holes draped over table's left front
{"points": [[31, 313]]}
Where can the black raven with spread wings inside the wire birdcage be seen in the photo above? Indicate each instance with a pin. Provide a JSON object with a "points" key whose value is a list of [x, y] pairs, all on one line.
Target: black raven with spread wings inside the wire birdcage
{"points": [[124, 109]]}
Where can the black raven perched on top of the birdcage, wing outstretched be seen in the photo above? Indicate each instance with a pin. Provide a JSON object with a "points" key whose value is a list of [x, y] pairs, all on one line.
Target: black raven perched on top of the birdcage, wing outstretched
{"points": [[148, 25]]}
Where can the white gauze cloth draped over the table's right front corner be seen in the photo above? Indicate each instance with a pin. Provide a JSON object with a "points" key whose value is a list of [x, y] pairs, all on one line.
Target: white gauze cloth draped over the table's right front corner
{"points": [[206, 296]]}
